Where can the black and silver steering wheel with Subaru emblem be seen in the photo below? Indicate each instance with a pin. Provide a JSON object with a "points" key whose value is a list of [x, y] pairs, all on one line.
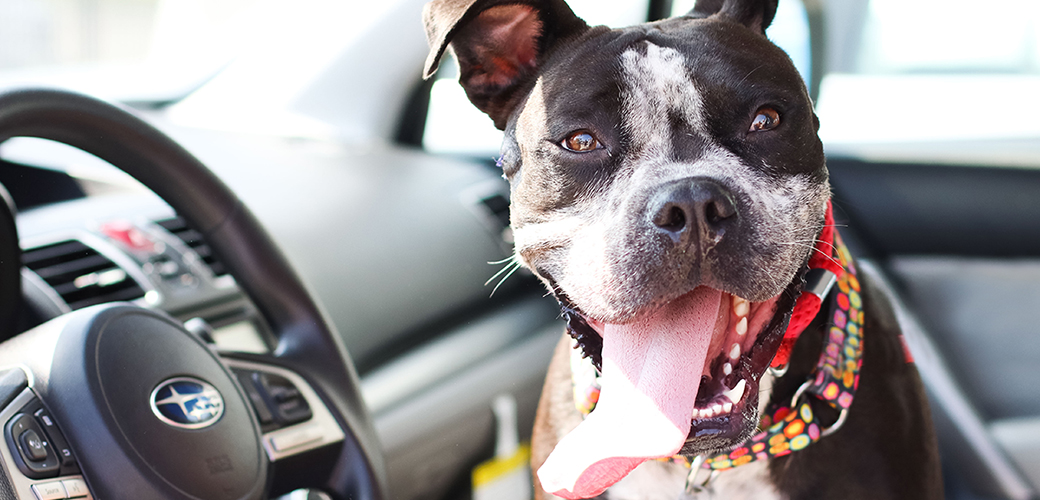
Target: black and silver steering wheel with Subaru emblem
{"points": [[114, 377]]}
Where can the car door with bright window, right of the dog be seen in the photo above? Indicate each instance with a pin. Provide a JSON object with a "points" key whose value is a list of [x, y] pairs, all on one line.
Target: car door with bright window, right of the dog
{"points": [[935, 180]]}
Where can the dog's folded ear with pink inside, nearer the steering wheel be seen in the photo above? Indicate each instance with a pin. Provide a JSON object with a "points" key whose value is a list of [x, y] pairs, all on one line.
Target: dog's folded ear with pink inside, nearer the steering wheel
{"points": [[499, 44]]}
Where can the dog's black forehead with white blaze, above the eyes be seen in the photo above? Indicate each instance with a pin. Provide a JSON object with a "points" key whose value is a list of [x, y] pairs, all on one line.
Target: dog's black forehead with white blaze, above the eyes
{"points": [[682, 73]]}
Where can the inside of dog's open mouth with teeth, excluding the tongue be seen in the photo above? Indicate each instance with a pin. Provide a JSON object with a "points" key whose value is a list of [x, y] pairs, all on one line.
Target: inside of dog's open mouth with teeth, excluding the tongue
{"points": [[745, 339]]}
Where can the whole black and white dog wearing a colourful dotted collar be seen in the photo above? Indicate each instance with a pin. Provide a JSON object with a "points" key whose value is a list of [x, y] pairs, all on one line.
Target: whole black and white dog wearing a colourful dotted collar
{"points": [[669, 189]]}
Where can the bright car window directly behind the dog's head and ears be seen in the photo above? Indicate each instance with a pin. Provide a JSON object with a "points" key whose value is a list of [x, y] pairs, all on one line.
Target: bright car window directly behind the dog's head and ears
{"points": [[456, 127]]}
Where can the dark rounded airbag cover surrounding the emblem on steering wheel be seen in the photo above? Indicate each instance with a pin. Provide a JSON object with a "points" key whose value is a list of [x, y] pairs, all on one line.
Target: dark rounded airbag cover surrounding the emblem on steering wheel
{"points": [[127, 354]]}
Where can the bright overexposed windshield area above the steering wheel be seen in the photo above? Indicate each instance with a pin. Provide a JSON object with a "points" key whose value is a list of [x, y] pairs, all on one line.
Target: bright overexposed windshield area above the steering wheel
{"points": [[128, 50]]}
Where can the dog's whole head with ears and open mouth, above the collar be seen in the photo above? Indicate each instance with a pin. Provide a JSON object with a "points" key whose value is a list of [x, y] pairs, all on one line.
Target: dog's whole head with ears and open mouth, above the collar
{"points": [[662, 175]]}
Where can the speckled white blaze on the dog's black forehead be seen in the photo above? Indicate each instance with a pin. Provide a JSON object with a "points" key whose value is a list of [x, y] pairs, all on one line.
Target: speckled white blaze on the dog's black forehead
{"points": [[656, 86]]}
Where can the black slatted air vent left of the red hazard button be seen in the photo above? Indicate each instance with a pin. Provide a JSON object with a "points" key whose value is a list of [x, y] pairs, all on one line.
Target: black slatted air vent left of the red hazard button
{"points": [[81, 275]]}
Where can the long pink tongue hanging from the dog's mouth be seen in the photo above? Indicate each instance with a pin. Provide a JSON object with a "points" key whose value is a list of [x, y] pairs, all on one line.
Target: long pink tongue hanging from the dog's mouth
{"points": [[652, 373]]}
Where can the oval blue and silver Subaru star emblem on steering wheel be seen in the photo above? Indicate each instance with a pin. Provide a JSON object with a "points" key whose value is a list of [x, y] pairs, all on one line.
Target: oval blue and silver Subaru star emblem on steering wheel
{"points": [[187, 403]]}
